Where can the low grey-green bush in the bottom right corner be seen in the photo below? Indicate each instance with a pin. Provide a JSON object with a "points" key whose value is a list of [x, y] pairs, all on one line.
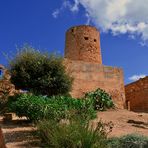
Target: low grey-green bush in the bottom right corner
{"points": [[128, 141]]}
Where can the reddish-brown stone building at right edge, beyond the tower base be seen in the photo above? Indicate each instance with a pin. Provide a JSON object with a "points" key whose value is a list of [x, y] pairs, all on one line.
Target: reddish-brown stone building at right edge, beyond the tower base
{"points": [[137, 95]]}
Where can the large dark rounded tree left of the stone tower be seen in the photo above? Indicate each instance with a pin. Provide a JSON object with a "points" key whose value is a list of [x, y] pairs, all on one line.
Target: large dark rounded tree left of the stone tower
{"points": [[39, 72]]}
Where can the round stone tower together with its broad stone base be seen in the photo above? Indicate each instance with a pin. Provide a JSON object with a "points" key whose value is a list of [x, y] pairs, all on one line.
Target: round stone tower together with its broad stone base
{"points": [[84, 61]]}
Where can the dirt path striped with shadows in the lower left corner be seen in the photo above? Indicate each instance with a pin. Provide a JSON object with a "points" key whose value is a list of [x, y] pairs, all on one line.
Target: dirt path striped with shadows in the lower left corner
{"points": [[19, 134]]}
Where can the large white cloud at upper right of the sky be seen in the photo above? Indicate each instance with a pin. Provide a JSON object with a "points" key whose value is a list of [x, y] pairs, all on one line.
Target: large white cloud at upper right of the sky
{"points": [[117, 16]]}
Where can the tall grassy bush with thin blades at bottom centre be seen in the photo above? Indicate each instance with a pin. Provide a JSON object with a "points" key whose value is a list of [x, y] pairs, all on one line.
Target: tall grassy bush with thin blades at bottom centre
{"points": [[71, 134]]}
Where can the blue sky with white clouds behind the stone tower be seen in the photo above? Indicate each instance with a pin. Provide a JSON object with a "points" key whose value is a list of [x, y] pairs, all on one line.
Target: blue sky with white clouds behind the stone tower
{"points": [[43, 23]]}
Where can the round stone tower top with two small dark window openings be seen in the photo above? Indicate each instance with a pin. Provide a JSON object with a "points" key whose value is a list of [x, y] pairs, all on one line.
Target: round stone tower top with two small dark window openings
{"points": [[83, 43]]}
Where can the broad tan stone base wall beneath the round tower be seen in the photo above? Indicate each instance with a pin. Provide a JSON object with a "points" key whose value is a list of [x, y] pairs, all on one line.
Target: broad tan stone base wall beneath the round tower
{"points": [[90, 76]]}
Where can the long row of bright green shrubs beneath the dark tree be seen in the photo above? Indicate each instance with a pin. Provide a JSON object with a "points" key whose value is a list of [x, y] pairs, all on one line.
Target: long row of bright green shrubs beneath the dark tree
{"points": [[56, 107]]}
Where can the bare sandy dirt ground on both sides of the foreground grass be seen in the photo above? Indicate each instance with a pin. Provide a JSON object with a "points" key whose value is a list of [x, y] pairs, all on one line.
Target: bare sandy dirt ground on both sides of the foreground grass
{"points": [[21, 134]]}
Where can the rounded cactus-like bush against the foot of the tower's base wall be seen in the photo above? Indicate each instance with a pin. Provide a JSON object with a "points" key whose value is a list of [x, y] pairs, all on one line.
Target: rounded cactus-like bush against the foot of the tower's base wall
{"points": [[102, 100]]}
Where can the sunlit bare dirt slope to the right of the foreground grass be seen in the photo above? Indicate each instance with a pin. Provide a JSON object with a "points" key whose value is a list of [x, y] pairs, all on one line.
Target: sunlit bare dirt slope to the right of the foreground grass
{"points": [[125, 122]]}
